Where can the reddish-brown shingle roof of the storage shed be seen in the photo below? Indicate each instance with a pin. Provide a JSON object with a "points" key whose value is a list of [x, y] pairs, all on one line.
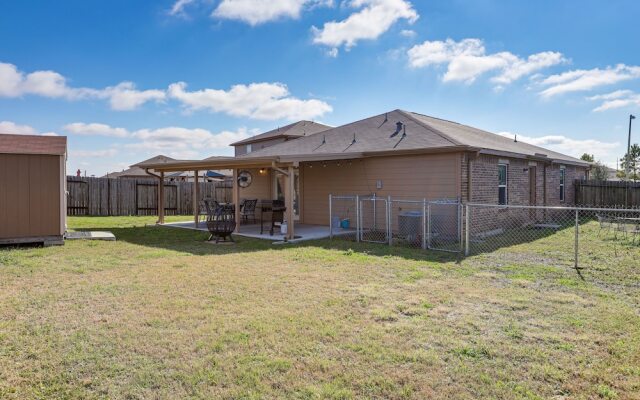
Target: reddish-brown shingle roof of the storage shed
{"points": [[33, 144]]}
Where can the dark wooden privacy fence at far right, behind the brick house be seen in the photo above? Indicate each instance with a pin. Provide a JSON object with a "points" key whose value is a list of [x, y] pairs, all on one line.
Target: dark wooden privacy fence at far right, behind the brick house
{"points": [[607, 193]]}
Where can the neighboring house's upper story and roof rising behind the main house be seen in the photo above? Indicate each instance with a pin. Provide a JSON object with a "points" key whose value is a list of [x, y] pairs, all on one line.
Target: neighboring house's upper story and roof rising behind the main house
{"points": [[277, 136]]}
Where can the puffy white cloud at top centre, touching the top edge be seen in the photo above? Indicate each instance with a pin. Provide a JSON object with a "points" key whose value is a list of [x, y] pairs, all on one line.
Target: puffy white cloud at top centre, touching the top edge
{"points": [[373, 18]]}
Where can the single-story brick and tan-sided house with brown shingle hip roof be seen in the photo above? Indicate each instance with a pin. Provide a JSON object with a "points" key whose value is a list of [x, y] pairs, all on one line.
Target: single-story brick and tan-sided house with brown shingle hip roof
{"points": [[402, 154]]}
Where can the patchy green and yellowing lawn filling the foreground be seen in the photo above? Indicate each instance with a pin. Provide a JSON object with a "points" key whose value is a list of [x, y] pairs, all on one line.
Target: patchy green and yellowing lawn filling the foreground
{"points": [[162, 314]]}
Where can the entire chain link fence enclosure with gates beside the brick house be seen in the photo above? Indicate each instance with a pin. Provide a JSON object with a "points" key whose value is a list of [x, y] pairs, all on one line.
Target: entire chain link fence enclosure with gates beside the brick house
{"points": [[451, 226]]}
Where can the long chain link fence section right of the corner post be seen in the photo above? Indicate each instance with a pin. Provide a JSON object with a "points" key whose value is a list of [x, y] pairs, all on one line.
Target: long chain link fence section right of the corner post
{"points": [[568, 235]]}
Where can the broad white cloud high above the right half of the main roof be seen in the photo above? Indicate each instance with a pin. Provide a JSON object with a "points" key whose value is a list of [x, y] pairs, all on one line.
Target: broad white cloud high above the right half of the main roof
{"points": [[467, 59]]}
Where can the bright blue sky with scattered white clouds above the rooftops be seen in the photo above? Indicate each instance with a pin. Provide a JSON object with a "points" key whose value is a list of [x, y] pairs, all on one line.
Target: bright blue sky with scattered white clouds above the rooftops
{"points": [[126, 80]]}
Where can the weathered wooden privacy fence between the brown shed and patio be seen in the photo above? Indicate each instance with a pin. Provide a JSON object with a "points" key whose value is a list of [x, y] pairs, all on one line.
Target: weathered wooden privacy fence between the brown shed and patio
{"points": [[128, 196]]}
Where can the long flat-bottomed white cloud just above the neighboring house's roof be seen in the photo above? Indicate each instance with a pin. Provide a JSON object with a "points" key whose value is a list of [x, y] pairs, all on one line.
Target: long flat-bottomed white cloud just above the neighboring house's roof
{"points": [[266, 101]]}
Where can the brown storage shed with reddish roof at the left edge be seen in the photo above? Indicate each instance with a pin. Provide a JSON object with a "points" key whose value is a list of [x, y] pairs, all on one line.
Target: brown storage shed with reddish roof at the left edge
{"points": [[32, 189]]}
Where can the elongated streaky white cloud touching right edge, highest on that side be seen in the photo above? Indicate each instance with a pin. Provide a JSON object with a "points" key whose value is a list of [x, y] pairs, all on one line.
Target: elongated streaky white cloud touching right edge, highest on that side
{"points": [[585, 80]]}
